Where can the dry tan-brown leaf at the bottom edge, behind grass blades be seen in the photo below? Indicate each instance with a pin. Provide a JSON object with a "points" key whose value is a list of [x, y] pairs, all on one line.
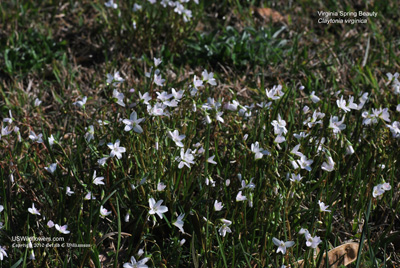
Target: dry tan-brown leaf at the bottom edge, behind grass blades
{"points": [[341, 255]]}
